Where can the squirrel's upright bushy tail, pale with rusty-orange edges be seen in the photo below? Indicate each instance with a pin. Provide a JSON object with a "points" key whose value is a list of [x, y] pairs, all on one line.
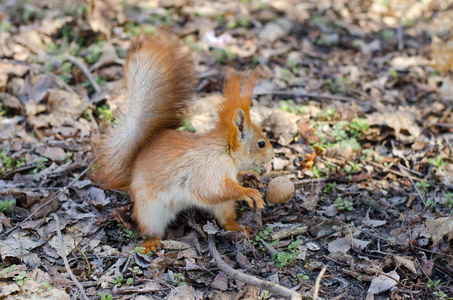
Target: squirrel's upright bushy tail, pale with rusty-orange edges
{"points": [[159, 85]]}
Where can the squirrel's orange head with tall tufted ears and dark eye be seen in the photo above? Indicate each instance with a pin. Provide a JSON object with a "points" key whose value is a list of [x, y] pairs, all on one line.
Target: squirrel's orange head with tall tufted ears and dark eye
{"points": [[247, 144]]}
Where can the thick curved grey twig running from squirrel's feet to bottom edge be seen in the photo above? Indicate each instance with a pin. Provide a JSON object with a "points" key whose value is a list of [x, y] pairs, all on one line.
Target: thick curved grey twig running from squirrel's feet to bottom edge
{"points": [[238, 275]]}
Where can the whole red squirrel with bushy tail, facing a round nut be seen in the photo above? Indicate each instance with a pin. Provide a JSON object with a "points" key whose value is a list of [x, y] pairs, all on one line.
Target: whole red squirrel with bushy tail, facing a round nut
{"points": [[166, 170]]}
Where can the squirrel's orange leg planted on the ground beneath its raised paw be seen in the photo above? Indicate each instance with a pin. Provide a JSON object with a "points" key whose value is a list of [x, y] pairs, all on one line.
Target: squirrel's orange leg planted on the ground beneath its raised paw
{"points": [[225, 215]]}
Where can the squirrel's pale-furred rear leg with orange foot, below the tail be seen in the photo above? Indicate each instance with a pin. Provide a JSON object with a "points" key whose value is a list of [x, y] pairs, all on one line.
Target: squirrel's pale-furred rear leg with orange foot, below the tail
{"points": [[152, 217]]}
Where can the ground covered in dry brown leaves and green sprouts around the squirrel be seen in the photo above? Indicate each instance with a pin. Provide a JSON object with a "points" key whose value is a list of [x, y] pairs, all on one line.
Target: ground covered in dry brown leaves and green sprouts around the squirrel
{"points": [[355, 96]]}
